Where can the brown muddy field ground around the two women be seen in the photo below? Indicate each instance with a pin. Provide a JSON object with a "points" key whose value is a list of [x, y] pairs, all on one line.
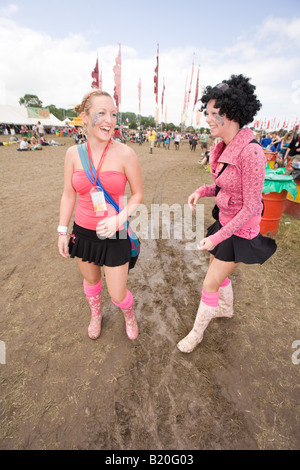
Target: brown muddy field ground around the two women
{"points": [[60, 390]]}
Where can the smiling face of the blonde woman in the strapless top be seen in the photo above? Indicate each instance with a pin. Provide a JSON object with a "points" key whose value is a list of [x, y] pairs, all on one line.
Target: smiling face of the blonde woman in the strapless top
{"points": [[101, 118]]}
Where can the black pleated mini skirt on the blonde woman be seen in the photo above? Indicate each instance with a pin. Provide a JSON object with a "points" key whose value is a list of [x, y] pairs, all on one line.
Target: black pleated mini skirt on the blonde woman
{"points": [[85, 244]]}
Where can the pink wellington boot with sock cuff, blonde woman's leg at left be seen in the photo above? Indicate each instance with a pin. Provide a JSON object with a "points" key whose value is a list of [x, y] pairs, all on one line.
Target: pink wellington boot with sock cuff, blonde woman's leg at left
{"points": [[93, 295]]}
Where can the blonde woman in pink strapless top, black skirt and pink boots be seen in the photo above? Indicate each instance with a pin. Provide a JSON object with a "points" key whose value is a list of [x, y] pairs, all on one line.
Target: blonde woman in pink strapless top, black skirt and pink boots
{"points": [[99, 239]]}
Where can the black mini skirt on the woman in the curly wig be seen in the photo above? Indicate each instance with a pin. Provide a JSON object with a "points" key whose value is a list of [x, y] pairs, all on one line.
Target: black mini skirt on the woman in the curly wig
{"points": [[238, 249]]}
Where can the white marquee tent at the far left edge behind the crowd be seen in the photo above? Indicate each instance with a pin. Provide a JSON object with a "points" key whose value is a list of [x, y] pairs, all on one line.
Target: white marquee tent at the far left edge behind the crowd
{"points": [[20, 115]]}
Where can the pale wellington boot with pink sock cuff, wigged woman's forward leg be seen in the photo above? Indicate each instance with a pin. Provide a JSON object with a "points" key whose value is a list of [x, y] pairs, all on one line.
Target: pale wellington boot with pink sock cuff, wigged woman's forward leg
{"points": [[206, 312]]}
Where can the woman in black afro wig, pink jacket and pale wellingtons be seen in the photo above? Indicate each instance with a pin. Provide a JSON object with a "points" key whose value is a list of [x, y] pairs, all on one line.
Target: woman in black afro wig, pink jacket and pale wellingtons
{"points": [[237, 166]]}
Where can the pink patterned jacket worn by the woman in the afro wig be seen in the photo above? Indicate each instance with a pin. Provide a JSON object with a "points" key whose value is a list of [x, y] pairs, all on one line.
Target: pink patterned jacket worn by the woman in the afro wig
{"points": [[240, 197]]}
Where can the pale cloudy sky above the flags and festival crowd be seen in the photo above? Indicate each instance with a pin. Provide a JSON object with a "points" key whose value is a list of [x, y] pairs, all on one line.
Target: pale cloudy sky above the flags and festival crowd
{"points": [[50, 49]]}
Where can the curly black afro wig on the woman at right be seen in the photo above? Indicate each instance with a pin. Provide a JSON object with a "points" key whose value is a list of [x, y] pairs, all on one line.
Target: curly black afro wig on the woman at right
{"points": [[235, 98]]}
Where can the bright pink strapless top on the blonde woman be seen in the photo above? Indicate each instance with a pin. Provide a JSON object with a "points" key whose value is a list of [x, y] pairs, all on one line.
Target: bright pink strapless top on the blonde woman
{"points": [[114, 182]]}
